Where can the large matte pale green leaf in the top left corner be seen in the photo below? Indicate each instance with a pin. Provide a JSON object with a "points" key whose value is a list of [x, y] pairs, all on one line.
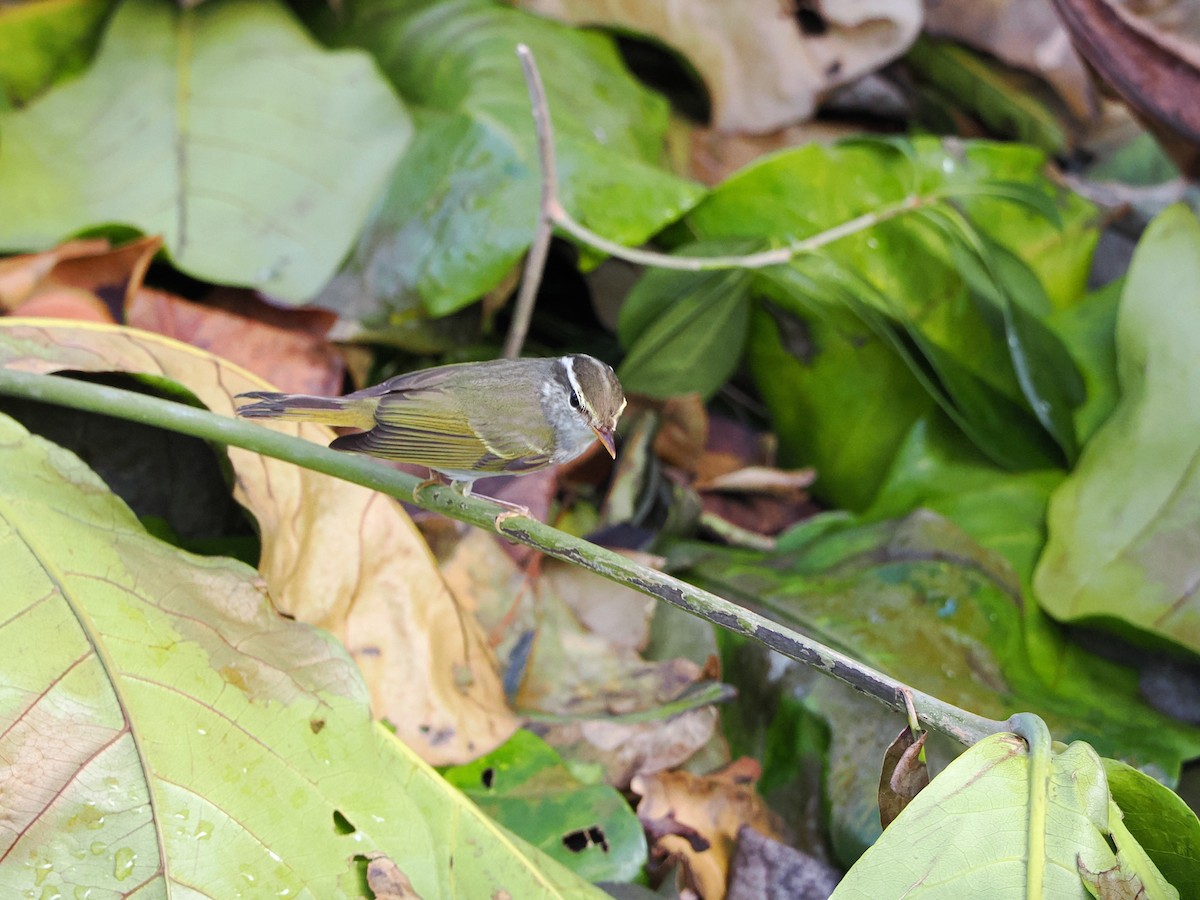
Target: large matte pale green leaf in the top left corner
{"points": [[226, 129]]}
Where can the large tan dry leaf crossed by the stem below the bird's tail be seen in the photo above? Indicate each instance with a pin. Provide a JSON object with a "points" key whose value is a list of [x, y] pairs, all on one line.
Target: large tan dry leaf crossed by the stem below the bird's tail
{"points": [[334, 555]]}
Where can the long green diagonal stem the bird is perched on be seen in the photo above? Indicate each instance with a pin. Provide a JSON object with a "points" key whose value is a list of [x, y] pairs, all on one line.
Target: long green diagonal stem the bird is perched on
{"points": [[959, 724]]}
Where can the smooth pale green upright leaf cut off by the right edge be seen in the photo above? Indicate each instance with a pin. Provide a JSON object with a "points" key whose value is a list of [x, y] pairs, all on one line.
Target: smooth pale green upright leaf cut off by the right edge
{"points": [[1124, 527]]}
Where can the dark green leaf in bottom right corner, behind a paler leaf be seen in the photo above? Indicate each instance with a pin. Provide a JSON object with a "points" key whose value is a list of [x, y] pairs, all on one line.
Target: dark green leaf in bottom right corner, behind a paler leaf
{"points": [[1162, 823]]}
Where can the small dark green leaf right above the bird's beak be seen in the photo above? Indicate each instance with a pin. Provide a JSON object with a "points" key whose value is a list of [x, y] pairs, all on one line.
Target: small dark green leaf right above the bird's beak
{"points": [[686, 332]]}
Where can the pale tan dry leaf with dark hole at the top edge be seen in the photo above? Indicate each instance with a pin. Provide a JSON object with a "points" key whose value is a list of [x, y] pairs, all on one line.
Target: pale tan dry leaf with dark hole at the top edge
{"points": [[766, 64]]}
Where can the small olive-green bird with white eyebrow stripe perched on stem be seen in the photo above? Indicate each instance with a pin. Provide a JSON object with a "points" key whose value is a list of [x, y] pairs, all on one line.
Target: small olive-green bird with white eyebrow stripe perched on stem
{"points": [[471, 421]]}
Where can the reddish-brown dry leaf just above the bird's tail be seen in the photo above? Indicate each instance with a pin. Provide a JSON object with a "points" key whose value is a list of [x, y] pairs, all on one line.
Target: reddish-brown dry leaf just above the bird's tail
{"points": [[286, 347]]}
